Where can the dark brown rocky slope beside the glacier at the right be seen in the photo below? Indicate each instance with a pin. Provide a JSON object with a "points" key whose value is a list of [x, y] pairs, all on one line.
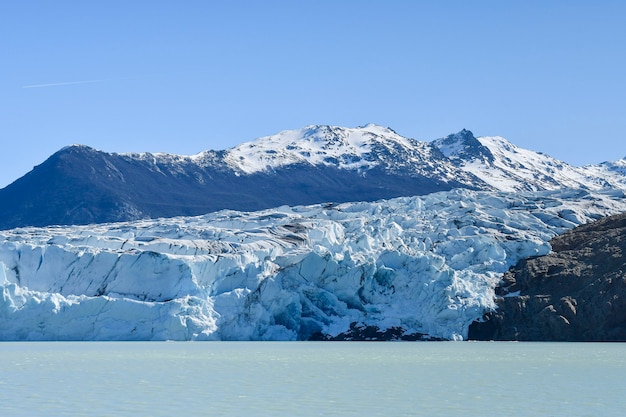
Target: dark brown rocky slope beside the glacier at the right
{"points": [[575, 293]]}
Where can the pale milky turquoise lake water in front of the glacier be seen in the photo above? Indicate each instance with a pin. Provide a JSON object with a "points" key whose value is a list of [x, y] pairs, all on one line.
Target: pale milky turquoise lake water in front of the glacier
{"points": [[312, 379]]}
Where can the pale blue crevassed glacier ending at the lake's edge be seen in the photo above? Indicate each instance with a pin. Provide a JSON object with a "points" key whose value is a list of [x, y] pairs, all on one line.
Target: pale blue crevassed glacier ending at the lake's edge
{"points": [[425, 264]]}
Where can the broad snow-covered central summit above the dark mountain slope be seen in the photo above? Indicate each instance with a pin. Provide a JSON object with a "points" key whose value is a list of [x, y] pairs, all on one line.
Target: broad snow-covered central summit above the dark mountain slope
{"points": [[360, 149]]}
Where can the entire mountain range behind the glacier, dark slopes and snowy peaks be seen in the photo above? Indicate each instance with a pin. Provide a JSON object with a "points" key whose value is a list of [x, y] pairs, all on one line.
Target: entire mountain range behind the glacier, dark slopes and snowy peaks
{"points": [[316, 164]]}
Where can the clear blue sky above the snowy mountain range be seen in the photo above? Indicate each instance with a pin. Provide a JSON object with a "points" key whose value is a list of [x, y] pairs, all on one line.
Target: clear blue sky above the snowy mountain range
{"points": [[186, 76]]}
